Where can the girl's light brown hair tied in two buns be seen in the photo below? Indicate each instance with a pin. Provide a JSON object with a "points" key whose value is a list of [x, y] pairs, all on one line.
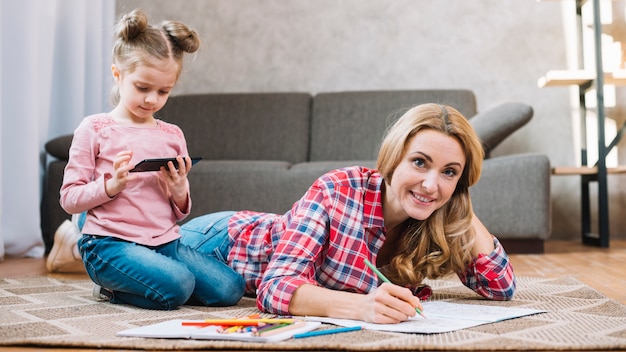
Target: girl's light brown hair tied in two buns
{"points": [[139, 43]]}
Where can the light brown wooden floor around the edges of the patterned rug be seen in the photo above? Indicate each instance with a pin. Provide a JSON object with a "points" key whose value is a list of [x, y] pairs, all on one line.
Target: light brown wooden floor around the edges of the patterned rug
{"points": [[601, 268]]}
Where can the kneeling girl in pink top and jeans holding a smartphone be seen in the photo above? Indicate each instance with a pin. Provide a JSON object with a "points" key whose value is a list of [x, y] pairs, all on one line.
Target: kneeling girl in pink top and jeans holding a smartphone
{"points": [[130, 244]]}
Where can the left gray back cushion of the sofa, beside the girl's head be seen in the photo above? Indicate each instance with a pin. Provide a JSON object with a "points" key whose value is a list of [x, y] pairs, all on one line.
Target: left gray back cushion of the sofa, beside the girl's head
{"points": [[243, 126]]}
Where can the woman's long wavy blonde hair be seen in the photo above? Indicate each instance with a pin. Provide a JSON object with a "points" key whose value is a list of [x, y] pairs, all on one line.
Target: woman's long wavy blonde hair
{"points": [[440, 244]]}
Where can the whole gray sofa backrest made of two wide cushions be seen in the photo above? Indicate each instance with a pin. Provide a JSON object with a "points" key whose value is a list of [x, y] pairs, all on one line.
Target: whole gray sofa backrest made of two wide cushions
{"points": [[292, 127]]}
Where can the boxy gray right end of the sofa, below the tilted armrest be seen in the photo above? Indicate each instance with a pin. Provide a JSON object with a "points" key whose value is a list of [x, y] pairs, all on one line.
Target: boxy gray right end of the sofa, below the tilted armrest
{"points": [[512, 197]]}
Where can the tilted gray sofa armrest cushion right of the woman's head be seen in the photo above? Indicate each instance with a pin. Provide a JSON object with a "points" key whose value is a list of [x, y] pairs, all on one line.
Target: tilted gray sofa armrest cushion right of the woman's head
{"points": [[499, 121]]}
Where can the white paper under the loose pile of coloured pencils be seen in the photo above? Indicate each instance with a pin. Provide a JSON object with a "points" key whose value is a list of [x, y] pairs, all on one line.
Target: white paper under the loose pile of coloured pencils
{"points": [[174, 329]]}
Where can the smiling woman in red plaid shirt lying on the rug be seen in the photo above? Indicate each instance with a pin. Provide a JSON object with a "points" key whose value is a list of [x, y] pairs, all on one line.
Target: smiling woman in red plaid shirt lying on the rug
{"points": [[412, 216]]}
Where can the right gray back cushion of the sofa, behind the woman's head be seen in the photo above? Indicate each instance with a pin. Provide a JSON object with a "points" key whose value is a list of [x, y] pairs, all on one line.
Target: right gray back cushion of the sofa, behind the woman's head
{"points": [[351, 125]]}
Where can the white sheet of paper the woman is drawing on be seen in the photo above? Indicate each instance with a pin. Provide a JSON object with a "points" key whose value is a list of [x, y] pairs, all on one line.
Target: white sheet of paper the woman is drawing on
{"points": [[441, 317]]}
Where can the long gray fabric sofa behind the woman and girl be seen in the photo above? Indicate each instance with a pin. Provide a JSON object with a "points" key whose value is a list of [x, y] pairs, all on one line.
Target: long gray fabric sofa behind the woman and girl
{"points": [[261, 151]]}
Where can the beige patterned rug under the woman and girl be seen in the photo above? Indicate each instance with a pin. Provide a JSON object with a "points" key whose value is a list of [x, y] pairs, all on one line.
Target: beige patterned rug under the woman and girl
{"points": [[47, 312]]}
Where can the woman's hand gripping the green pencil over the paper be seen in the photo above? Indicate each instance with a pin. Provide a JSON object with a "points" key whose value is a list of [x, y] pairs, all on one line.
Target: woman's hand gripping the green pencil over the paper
{"points": [[390, 304]]}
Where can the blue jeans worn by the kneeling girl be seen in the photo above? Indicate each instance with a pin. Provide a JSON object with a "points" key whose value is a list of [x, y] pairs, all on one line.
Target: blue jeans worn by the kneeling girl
{"points": [[162, 277]]}
